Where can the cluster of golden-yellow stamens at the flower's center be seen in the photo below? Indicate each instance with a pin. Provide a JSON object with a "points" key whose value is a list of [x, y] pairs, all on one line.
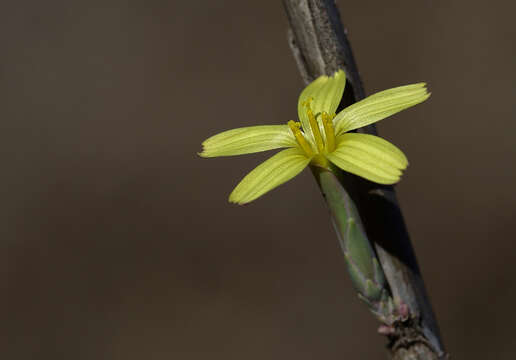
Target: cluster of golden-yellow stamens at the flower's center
{"points": [[323, 133]]}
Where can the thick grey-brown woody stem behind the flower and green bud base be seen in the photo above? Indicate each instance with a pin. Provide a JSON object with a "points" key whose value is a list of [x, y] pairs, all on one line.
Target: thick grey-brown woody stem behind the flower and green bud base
{"points": [[320, 46]]}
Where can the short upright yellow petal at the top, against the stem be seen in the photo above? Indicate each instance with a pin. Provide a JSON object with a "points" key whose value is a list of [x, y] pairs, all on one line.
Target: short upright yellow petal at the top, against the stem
{"points": [[326, 92]]}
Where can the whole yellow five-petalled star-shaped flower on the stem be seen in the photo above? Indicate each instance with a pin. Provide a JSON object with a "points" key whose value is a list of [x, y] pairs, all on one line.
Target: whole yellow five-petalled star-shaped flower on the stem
{"points": [[320, 138]]}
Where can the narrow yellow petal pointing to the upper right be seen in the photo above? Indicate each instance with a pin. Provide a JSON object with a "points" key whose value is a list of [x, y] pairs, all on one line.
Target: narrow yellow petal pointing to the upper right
{"points": [[379, 106]]}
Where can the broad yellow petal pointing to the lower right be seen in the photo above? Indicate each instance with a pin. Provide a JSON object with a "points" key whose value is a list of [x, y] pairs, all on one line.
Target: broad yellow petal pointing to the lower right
{"points": [[370, 157]]}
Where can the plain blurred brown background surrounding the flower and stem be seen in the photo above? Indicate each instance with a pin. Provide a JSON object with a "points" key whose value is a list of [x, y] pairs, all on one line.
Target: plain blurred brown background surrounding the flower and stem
{"points": [[118, 241]]}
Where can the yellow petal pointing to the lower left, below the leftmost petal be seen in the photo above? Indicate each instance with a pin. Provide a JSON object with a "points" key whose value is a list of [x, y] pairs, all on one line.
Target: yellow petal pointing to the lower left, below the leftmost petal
{"points": [[273, 172]]}
